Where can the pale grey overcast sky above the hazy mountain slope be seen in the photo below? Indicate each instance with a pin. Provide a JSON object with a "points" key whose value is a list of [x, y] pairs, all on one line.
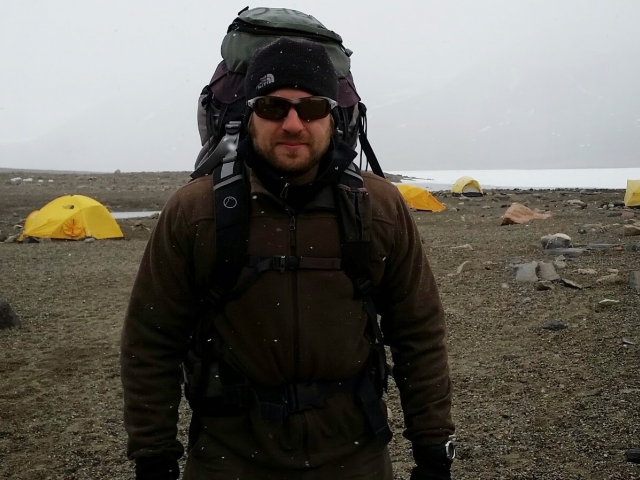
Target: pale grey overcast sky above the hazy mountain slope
{"points": [[73, 72]]}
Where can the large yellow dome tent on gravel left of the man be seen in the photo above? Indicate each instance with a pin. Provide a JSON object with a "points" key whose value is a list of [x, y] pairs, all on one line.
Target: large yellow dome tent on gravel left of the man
{"points": [[72, 217]]}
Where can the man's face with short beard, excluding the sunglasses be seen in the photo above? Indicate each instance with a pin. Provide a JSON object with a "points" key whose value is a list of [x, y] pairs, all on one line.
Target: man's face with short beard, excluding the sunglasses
{"points": [[292, 146]]}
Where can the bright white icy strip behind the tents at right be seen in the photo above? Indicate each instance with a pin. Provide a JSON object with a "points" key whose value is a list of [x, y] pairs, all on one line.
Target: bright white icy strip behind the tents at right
{"points": [[615, 178]]}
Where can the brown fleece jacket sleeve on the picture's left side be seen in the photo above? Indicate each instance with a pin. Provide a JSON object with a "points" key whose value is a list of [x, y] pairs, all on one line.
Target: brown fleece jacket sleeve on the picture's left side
{"points": [[155, 337]]}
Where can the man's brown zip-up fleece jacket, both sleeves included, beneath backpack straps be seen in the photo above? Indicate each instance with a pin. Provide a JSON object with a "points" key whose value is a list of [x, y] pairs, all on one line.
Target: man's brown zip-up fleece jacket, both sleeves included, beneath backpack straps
{"points": [[293, 326]]}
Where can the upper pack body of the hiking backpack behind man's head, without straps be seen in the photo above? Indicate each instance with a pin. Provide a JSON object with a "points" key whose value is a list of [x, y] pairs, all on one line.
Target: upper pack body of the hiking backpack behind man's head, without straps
{"points": [[222, 102]]}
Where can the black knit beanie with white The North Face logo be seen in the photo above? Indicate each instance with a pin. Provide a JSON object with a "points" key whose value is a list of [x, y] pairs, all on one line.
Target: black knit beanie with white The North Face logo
{"points": [[289, 63]]}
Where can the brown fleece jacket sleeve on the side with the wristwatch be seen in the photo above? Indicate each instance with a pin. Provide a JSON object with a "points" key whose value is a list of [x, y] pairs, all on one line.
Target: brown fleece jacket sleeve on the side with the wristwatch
{"points": [[412, 320]]}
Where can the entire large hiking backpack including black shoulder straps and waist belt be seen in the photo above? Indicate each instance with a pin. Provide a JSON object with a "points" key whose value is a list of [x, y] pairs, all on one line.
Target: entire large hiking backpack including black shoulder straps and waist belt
{"points": [[212, 386]]}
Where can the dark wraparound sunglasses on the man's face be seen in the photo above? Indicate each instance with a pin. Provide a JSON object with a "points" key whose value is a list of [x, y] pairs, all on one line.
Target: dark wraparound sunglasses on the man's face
{"points": [[277, 108]]}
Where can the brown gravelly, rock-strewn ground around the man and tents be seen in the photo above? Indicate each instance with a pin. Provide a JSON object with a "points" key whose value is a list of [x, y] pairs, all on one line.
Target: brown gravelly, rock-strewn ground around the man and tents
{"points": [[546, 376]]}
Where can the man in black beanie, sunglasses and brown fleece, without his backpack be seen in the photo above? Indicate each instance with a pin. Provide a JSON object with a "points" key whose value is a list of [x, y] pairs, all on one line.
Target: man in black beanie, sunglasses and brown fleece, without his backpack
{"points": [[288, 384]]}
